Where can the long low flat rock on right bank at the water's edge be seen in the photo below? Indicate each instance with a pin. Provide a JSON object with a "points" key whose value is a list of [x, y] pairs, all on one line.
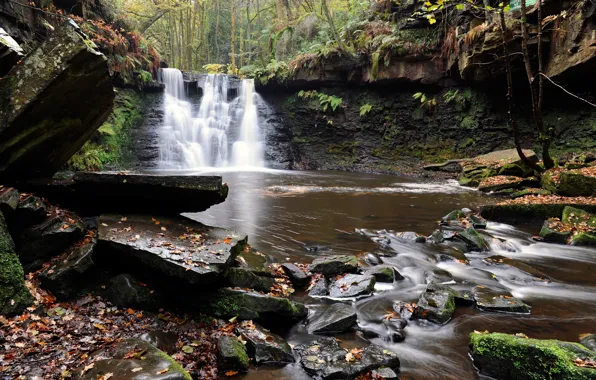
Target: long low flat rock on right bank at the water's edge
{"points": [[522, 213]]}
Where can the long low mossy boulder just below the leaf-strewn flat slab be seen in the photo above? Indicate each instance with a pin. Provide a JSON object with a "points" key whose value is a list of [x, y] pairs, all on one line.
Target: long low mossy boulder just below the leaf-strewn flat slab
{"points": [[246, 305]]}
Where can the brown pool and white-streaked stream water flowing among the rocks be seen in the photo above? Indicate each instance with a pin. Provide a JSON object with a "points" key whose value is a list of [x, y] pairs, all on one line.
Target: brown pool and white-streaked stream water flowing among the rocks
{"points": [[288, 214]]}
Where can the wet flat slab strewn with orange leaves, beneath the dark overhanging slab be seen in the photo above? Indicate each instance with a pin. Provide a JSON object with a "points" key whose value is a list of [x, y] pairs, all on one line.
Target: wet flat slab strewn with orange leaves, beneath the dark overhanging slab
{"points": [[178, 247]]}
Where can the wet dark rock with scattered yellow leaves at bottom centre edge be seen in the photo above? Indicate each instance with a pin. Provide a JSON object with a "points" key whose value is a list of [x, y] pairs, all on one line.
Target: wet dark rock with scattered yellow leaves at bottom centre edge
{"points": [[324, 358]]}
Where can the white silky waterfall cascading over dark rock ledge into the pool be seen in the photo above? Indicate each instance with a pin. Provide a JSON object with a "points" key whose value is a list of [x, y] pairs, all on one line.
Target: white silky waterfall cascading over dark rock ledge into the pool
{"points": [[194, 138]]}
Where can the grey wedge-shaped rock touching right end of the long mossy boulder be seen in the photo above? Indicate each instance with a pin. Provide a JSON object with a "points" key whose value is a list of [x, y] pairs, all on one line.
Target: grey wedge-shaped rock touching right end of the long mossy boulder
{"points": [[334, 319]]}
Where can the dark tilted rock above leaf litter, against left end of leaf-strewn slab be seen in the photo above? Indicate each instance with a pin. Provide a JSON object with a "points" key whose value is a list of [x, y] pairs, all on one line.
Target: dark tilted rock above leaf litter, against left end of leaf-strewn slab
{"points": [[65, 276]]}
